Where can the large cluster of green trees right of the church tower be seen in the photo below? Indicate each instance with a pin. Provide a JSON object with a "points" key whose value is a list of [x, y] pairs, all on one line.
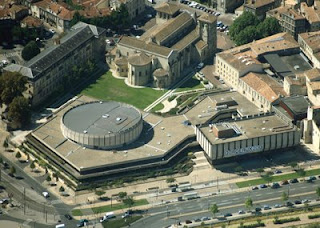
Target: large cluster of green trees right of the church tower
{"points": [[248, 27]]}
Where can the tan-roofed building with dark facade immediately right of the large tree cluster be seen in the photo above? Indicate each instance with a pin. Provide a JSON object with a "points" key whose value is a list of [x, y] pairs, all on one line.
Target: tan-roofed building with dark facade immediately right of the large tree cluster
{"points": [[290, 20]]}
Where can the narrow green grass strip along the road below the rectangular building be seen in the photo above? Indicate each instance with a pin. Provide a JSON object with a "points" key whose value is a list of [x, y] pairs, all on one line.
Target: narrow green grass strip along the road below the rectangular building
{"points": [[277, 178]]}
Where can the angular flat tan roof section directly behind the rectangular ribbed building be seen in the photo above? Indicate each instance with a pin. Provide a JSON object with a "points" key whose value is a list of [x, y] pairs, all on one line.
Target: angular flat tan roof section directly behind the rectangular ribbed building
{"points": [[205, 109]]}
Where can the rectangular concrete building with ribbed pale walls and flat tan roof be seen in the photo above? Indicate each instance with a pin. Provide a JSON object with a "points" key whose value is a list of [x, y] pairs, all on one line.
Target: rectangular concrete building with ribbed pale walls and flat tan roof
{"points": [[246, 135]]}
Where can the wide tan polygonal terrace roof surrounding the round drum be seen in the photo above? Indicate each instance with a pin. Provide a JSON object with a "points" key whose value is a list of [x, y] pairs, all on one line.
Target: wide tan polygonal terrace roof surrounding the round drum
{"points": [[158, 136]]}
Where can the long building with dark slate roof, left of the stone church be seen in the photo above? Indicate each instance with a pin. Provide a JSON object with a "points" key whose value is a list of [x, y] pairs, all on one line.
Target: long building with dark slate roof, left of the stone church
{"points": [[46, 71]]}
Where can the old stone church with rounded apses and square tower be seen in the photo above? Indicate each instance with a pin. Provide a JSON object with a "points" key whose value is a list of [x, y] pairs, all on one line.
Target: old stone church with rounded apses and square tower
{"points": [[161, 54]]}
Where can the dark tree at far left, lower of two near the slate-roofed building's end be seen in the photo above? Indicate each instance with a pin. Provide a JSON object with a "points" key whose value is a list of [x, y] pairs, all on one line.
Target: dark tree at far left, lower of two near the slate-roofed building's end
{"points": [[19, 111]]}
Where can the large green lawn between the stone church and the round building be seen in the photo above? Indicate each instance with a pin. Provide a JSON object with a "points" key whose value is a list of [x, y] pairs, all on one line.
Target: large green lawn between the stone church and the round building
{"points": [[109, 88]]}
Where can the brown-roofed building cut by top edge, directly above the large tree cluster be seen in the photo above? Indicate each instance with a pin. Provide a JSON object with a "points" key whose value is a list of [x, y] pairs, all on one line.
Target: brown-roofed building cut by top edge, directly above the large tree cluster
{"points": [[260, 7]]}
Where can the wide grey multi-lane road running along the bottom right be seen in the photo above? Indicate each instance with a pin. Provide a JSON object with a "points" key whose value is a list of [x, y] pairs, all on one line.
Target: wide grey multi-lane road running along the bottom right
{"points": [[230, 203]]}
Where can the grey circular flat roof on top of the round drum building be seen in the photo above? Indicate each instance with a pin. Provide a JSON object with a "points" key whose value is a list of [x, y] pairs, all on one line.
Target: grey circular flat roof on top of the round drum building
{"points": [[101, 118]]}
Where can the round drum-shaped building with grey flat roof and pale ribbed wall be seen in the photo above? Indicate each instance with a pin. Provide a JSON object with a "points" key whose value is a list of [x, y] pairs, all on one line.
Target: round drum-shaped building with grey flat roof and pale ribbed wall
{"points": [[102, 125]]}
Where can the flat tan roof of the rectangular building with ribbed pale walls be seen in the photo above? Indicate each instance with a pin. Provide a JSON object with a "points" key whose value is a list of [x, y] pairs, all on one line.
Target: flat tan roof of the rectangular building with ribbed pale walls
{"points": [[250, 128]]}
